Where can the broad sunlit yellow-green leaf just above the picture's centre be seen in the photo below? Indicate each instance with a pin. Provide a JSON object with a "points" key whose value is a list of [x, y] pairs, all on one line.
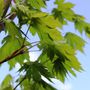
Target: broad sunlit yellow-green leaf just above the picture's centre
{"points": [[43, 28]]}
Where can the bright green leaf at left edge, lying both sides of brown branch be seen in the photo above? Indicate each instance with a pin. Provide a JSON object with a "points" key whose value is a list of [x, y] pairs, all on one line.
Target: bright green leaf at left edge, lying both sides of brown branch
{"points": [[10, 45]]}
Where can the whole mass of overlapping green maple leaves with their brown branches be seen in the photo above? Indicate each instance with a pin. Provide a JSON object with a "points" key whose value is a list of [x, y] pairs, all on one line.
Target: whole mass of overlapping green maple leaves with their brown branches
{"points": [[58, 52]]}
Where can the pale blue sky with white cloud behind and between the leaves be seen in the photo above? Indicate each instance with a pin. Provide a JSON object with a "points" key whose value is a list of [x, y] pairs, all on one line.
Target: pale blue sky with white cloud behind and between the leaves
{"points": [[82, 81]]}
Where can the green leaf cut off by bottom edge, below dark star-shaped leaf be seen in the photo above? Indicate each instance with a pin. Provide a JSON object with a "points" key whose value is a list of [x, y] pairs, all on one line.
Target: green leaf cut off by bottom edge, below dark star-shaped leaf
{"points": [[42, 85]]}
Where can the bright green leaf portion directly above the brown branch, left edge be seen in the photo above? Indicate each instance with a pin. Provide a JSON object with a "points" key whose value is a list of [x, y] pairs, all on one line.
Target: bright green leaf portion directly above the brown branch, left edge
{"points": [[6, 49]]}
